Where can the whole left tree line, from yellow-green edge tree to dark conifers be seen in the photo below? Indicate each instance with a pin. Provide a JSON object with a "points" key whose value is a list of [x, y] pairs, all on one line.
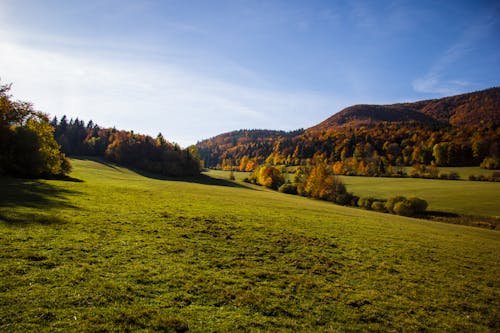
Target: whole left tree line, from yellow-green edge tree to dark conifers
{"points": [[33, 146]]}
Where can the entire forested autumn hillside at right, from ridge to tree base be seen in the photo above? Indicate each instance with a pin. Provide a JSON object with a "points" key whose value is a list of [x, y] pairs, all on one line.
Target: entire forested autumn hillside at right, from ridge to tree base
{"points": [[460, 130]]}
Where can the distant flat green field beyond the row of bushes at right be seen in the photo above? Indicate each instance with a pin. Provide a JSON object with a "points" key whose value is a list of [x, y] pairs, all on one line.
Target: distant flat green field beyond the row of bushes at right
{"points": [[463, 197]]}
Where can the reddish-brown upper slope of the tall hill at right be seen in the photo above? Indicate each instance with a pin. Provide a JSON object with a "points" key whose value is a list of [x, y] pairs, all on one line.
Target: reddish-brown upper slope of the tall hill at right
{"points": [[473, 109]]}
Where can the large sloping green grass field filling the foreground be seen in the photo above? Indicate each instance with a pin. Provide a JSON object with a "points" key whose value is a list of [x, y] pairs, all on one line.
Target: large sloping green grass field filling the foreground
{"points": [[123, 252]]}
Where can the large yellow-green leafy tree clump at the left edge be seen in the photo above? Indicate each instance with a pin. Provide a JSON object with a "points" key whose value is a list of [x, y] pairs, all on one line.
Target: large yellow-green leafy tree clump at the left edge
{"points": [[27, 145]]}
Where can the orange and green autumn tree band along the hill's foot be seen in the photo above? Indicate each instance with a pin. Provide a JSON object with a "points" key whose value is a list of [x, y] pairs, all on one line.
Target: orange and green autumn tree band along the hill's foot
{"points": [[376, 150]]}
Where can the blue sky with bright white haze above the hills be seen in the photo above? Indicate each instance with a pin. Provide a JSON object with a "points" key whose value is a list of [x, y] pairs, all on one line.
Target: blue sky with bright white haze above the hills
{"points": [[195, 69]]}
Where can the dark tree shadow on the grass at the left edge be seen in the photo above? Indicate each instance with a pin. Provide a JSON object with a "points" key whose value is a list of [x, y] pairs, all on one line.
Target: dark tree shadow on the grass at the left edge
{"points": [[42, 197]]}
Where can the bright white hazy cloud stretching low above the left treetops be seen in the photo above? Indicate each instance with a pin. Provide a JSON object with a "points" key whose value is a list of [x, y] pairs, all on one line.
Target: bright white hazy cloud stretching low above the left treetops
{"points": [[147, 96]]}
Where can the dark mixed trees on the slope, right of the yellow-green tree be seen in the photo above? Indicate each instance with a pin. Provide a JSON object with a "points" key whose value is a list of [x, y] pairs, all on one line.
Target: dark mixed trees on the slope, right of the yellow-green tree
{"points": [[126, 148]]}
